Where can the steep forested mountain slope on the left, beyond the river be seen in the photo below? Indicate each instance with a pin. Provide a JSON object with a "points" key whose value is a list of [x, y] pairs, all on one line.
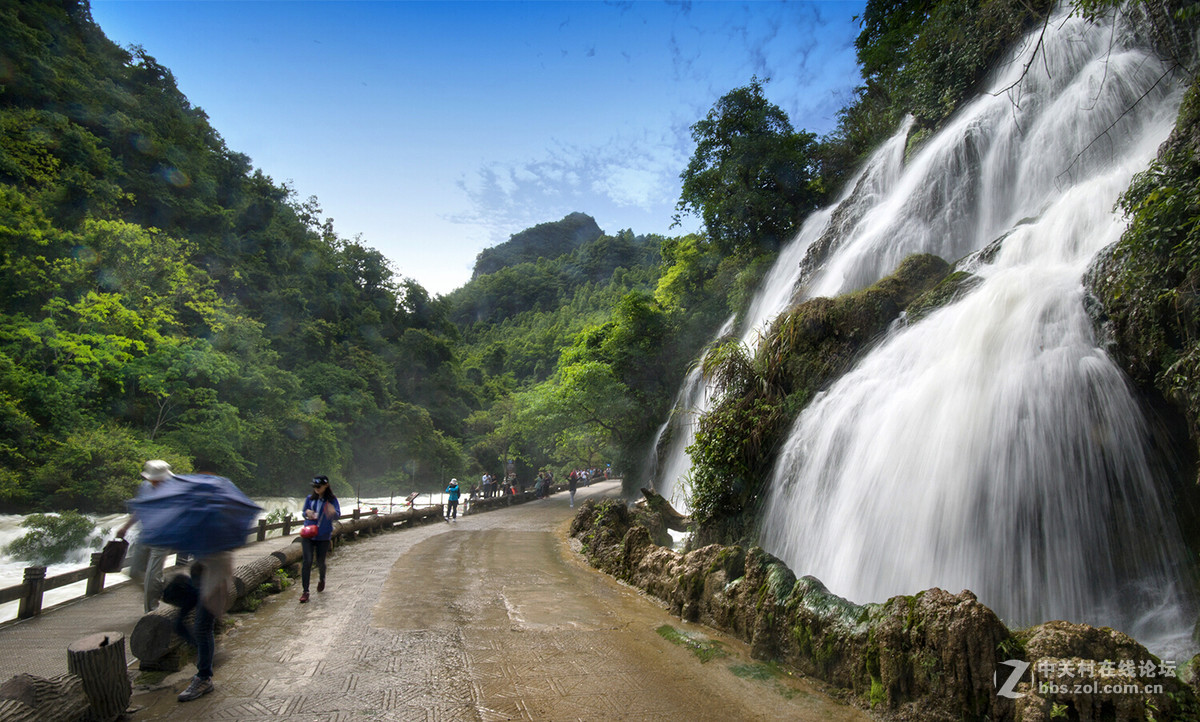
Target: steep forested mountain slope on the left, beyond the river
{"points": [[165, 299]]}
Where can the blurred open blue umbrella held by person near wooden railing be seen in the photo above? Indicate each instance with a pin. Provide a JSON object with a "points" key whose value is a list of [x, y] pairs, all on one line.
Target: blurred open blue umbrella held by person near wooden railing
{"points": [[195, 514]]}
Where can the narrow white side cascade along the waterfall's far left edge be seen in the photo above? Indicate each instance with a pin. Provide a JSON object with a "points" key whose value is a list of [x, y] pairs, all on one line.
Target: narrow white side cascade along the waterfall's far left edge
{"points": [[670, 470]]}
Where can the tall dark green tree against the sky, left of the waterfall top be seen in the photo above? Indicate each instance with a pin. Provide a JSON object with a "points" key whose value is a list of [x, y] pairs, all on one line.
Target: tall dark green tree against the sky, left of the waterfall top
{"points": [[753, 178]]}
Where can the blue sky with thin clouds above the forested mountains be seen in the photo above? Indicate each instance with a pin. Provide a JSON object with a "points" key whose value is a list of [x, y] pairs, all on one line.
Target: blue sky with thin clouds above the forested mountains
{"points": [[435, 130]]}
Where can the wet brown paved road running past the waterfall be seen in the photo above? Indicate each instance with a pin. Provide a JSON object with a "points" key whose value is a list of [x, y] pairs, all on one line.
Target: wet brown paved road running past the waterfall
{"points": [[490, 618]]}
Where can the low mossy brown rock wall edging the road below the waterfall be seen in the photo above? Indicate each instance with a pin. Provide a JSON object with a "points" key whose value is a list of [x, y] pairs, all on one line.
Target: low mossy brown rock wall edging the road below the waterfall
{"points": [[931, 657]]}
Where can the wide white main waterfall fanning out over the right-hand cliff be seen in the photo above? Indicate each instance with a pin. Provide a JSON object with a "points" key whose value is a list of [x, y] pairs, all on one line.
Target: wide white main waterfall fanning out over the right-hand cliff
{"points": [[993, 447]]}
